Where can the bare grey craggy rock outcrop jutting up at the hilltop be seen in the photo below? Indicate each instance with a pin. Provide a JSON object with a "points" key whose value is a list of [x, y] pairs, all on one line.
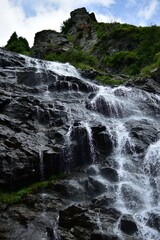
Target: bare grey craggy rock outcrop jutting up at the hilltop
{"points": [[81, 30]]}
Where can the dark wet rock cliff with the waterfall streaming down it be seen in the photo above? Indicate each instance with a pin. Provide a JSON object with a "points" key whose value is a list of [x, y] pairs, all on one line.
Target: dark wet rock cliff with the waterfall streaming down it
{"points": [[101, 144]]}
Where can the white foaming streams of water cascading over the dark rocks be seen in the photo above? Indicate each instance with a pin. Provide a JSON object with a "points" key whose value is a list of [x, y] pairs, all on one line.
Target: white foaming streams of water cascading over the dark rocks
{"points": [[114, 108]]}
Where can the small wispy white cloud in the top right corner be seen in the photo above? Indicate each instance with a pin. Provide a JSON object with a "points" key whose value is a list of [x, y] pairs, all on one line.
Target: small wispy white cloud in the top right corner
{"points": [[147, 12]]}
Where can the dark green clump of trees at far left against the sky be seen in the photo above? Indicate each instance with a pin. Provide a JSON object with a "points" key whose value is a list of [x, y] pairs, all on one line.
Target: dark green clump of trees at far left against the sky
{"points": [[18, 44]]}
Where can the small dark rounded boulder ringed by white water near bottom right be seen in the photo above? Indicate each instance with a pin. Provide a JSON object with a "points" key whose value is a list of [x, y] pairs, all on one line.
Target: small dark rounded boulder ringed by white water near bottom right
{"points": [[128, 225]]}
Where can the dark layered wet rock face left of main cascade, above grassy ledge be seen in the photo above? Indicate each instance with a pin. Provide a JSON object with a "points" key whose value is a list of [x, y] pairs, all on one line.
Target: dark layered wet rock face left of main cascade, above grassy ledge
{"points": [[36, 111]]}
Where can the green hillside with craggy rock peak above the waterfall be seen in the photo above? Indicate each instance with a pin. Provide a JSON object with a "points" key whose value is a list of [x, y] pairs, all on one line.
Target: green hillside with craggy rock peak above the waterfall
{"points": [[109, 47]]}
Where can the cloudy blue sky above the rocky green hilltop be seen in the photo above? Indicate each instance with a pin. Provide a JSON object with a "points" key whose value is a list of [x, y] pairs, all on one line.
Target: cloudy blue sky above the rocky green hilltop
{"points": [[27, 17]]}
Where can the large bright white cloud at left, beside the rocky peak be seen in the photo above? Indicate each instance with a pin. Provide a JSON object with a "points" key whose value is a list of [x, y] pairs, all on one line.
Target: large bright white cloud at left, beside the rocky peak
{"points": [[13, 18]]}
